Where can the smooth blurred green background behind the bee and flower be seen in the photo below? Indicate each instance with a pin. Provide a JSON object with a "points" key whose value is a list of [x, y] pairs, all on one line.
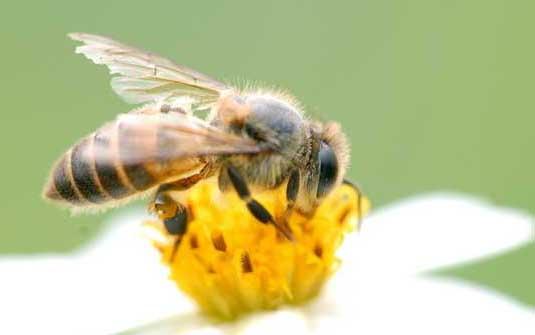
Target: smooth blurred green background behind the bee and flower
{"points": [[435, 95]]}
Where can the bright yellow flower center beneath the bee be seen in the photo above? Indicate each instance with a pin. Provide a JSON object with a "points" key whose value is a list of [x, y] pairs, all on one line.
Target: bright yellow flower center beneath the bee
{"points": [[230, 263]]}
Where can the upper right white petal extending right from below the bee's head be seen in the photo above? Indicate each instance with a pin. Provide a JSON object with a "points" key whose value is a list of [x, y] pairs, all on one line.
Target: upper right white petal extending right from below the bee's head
{"points": [[428, 232]]}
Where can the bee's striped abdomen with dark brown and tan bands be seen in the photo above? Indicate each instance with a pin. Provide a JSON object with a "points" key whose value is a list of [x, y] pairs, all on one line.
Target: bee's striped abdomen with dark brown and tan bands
{"points": [[114, 163]]}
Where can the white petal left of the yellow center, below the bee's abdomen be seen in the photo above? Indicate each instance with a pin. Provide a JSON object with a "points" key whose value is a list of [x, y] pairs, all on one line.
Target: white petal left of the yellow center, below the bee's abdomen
{"points": [[114, 284]]}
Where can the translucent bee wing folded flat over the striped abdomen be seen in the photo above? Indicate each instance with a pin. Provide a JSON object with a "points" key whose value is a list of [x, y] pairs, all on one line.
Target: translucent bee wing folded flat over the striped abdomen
{"points": [[160, 138]]}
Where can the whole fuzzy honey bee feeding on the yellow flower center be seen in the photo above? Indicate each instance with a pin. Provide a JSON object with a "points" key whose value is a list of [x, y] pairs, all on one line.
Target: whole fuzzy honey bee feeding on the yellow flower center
{"points": [[249, 140]]}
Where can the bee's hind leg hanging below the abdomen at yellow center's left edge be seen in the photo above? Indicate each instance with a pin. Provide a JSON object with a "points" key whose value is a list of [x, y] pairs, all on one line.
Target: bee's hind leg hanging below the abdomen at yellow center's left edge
{"points": [[173, 215]]}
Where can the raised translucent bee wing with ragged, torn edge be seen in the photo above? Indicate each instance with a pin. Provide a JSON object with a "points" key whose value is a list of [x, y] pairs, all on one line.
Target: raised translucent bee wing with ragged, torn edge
{"points": [[142, 76]]}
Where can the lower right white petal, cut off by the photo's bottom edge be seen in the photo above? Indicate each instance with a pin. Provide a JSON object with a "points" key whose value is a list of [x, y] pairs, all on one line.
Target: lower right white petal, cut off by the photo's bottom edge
{"points": [[414, 305]]}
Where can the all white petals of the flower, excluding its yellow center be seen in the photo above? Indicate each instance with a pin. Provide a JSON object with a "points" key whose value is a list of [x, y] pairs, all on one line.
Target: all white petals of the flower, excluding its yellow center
{"points": [[117, 282]]}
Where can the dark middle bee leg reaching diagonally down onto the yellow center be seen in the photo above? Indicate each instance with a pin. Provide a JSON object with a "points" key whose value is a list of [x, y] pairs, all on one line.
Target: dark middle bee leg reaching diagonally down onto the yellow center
{"points": [[256, 209]]}
